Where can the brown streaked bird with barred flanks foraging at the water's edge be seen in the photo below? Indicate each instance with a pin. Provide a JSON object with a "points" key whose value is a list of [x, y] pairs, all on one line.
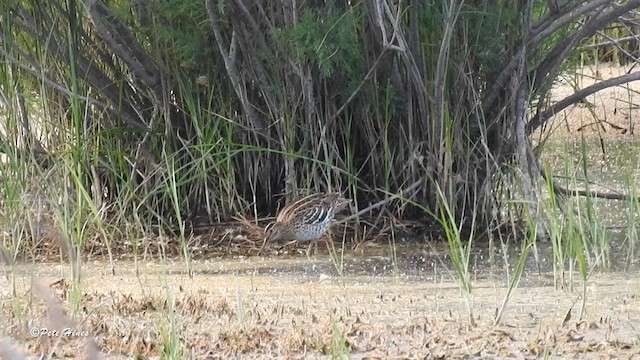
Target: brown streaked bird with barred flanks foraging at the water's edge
{"points": [[306, 219]]}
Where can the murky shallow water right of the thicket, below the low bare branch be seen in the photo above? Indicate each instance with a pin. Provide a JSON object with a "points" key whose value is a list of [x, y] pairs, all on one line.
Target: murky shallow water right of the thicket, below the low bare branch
{"points": [[611, 166]]}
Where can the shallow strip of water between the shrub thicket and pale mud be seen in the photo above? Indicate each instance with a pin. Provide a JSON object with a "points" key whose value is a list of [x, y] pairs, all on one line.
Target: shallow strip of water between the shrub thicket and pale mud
{"points": [[406, 263]]}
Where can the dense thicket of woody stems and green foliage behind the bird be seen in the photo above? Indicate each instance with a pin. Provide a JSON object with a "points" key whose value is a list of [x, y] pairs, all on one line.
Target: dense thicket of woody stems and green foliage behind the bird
{"points": [[118, 116]]}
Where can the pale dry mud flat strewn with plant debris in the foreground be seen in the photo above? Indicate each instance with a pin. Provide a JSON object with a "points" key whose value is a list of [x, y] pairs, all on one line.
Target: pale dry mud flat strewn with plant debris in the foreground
{"points": [[230, 311]]}
